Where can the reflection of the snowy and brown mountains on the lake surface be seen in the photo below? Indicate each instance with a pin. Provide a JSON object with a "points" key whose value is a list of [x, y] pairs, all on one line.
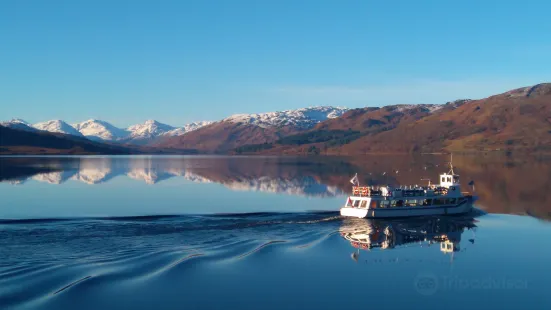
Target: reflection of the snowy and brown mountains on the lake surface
{"points": [[503, 184]]}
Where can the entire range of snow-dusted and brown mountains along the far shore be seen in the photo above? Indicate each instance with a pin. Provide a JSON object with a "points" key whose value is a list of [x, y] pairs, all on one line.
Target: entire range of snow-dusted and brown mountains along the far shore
{"points": [[517, 120]]}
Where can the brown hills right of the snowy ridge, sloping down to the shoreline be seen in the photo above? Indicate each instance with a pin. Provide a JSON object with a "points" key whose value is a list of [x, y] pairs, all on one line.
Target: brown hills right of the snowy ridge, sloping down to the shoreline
{"points": [[518, 120]]}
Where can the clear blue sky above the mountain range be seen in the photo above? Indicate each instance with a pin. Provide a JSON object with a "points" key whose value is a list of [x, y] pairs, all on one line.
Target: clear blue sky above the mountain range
{"points": [[183, 61]]}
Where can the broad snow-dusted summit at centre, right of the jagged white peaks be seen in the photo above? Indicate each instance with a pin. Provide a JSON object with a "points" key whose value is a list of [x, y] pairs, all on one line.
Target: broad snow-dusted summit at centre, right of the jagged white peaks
{"points": [[301, 118]]}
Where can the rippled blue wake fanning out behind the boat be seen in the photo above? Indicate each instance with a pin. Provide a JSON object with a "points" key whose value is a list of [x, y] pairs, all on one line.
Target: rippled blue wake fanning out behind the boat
{"points": [[64, 256]]}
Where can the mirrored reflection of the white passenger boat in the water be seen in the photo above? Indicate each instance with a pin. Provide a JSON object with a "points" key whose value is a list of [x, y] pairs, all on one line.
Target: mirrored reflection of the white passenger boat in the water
{"points": [[366, 234]]}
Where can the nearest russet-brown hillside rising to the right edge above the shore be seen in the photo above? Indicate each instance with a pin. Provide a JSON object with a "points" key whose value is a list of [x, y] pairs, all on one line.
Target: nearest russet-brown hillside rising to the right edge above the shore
{"points": [[519, 119]]}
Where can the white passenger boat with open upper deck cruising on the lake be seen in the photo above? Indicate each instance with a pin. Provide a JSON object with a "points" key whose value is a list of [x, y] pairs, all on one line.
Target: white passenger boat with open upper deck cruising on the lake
{"points": [[387, 202]]}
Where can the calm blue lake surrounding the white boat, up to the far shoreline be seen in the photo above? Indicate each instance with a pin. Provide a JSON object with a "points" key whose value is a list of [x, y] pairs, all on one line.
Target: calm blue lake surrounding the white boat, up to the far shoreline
{"points": [[207, 232]]}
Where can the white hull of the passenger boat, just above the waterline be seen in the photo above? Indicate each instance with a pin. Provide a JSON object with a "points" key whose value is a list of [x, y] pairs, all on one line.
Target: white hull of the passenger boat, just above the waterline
{"points": [[406, 211]]}
